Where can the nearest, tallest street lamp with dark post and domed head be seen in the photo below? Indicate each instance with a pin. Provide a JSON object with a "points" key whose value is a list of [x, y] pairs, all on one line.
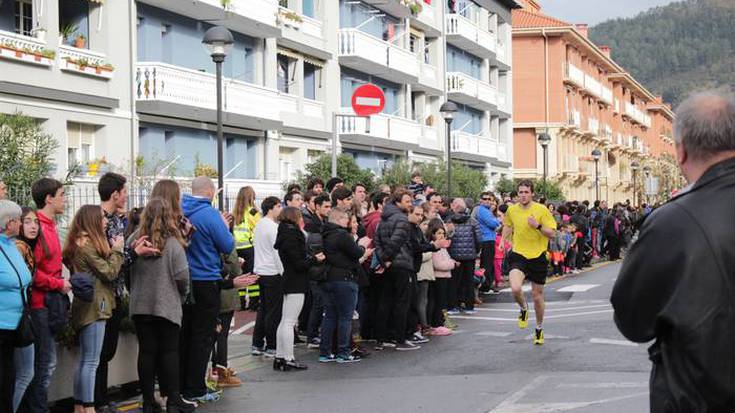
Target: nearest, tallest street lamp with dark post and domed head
{"points": [[218, 41]]}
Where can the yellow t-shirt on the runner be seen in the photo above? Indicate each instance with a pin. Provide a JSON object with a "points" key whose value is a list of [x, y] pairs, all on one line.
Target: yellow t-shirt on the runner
{"points": [[528, 241]]}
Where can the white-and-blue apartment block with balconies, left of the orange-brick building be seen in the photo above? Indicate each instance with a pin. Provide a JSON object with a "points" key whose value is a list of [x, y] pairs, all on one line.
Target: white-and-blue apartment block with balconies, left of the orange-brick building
{"points": [[293, 66]]}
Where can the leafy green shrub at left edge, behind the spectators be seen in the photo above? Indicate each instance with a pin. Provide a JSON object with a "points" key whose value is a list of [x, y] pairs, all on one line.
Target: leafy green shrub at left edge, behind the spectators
{"points": [[26, 154]]}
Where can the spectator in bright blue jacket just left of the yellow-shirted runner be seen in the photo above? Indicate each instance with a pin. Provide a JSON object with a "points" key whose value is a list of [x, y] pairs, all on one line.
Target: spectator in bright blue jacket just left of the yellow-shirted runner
{"points": [[487, 218]]}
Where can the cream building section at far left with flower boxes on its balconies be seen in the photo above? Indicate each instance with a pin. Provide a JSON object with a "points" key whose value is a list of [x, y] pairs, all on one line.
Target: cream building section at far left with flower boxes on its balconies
{"points": [[77, 85]]}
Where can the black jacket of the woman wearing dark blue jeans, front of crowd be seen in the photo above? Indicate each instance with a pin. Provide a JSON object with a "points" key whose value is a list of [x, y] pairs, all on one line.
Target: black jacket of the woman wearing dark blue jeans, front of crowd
{"points": [[343, 253]]}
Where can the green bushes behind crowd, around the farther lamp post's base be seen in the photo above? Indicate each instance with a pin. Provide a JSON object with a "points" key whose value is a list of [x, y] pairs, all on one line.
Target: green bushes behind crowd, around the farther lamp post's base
{"points": [[466, 182]]}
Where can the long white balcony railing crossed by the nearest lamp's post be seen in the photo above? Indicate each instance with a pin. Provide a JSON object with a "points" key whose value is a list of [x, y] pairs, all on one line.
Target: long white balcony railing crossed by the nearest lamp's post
{"points": [[173, 84]]}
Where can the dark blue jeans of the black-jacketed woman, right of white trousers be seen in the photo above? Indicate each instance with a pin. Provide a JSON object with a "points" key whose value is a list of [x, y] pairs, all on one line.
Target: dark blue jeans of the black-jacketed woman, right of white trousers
{"points": [[340, 300]]}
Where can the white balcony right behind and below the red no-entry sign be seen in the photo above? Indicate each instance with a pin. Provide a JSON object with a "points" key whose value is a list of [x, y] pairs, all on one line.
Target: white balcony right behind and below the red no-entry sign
{"points": [[382, 126]]}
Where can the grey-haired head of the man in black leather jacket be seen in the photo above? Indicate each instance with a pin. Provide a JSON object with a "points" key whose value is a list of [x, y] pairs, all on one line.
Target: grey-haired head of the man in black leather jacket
{"points": [[705, 125]]}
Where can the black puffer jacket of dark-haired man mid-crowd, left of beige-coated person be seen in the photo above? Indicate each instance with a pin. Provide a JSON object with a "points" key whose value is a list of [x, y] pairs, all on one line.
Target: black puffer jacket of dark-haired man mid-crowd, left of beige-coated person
{"points": [[393, 238]]}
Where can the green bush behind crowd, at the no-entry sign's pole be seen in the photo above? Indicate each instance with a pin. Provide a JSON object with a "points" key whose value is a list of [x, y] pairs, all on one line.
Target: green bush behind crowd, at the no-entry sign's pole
{"points": [[347, 169]]}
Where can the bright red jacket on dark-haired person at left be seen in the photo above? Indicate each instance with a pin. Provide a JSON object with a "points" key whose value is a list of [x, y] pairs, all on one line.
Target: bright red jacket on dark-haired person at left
{"points": [[48, 263]]}
